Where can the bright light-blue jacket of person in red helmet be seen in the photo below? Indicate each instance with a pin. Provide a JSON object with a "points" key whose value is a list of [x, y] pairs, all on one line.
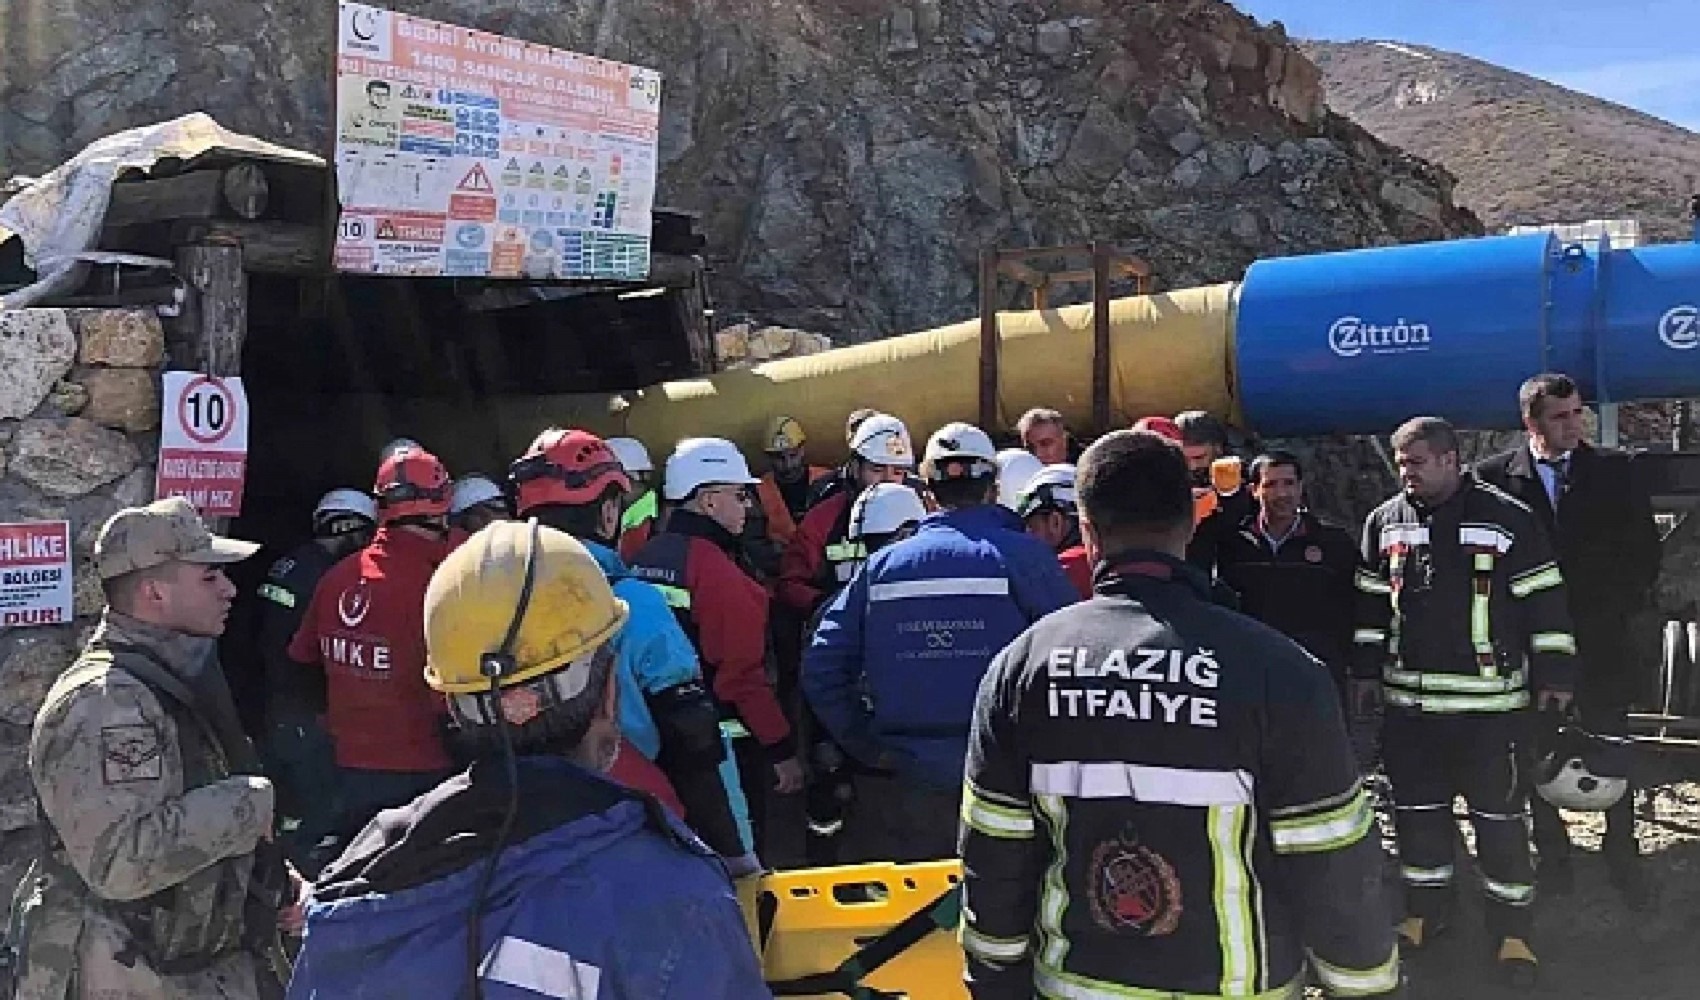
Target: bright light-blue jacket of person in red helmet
{"points": [[654, 654]]}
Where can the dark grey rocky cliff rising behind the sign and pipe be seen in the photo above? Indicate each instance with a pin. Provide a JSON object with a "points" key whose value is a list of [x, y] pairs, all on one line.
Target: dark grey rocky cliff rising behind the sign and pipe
{"points": [[851, 157]]}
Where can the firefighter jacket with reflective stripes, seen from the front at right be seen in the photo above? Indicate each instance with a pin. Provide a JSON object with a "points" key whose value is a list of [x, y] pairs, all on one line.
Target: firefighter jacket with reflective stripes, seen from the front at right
{"points": [[1463, 605]]}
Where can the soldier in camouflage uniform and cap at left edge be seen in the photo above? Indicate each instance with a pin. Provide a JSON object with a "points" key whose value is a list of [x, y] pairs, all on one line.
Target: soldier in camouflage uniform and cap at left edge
{"points": [[144, 889]]}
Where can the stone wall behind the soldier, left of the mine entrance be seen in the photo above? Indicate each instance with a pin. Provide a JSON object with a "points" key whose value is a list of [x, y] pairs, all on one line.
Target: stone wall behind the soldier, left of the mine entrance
{"points": [[79, 436]]}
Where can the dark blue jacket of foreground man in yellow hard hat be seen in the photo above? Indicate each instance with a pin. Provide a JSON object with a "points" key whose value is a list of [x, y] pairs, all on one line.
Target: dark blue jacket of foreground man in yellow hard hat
{"points": [[601, 895]]}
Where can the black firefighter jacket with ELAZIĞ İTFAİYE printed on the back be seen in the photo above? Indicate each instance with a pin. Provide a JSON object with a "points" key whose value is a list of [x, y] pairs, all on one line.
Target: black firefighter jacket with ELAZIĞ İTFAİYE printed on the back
{"points": [[1162, 802]]}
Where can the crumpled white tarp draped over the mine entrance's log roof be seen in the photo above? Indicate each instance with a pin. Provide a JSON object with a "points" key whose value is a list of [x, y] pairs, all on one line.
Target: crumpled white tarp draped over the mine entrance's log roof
{"points": [[60, 215]]}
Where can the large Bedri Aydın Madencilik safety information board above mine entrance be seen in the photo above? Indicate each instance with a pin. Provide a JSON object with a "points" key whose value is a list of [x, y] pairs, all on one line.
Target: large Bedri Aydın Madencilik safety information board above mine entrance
{"points": [[456, 147]]}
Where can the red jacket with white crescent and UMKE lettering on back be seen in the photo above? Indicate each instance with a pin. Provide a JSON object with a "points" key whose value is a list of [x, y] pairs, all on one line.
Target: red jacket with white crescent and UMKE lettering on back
{"points": [[366, 630]]}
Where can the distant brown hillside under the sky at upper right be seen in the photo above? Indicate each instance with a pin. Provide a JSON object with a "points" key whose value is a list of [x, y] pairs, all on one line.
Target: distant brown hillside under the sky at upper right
{"points": [[1524, 151]]}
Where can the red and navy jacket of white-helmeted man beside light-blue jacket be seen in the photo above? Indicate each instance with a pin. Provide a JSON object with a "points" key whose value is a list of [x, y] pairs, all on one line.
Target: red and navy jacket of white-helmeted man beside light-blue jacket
{"points": [[725, 613]]}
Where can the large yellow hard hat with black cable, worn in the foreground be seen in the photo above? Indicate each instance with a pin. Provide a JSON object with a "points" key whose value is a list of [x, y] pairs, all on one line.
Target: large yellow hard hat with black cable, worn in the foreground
{"points": [[480, 596]]}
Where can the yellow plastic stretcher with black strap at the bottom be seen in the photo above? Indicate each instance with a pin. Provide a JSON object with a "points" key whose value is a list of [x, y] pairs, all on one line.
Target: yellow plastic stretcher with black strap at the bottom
{"points": [[810, 924]]}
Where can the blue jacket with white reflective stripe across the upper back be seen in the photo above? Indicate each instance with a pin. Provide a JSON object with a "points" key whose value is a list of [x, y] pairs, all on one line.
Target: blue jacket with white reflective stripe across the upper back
{"points": [[900, 652]]}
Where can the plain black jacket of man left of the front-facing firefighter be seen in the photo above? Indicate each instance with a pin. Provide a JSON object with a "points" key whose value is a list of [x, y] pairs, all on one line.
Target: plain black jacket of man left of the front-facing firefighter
{"points": [[1300, 586]]}
